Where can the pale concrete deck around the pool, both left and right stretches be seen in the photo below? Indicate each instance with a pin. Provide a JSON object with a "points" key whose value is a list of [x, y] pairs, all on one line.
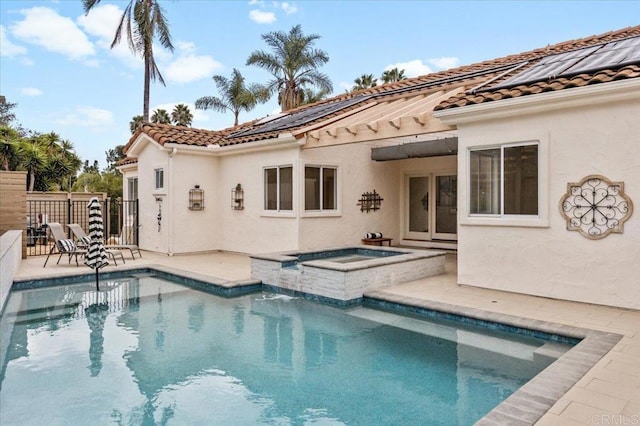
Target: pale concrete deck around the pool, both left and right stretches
{"points": [[609, 393]]}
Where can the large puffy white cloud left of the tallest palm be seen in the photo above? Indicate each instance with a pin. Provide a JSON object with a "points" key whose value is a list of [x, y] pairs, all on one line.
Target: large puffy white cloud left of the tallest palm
{"points": [[44, 27]]}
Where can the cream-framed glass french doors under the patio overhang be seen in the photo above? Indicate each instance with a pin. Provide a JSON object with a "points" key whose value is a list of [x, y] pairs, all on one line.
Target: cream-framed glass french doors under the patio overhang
{"points": [[431, 206]]}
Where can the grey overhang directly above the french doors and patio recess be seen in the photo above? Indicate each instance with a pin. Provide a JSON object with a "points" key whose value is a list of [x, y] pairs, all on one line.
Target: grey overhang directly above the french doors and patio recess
{"points": [[433, 148]]}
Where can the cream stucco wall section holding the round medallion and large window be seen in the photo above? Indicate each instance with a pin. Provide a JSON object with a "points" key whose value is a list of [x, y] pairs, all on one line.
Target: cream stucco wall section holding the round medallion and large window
{"points": [[576, 140]]}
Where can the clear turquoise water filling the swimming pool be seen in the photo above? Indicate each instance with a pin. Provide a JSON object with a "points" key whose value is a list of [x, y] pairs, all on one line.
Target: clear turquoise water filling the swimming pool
{"points": [[148, 351]]}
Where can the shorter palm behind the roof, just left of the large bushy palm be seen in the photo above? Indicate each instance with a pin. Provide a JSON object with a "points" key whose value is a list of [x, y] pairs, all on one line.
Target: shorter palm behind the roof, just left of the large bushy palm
{"points": [[235, 95]]}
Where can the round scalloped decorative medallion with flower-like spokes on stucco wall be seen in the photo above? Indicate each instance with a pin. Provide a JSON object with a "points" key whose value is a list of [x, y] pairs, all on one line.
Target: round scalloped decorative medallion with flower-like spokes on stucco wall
{"points": [[596, 207]]}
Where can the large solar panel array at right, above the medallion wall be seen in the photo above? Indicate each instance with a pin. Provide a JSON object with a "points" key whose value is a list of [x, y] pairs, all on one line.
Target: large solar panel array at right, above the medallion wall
{"points": [[588, 59]]}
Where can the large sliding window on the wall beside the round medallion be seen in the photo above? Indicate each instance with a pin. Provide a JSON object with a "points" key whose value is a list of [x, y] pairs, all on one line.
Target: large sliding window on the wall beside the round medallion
{"points": [[504, 180]]}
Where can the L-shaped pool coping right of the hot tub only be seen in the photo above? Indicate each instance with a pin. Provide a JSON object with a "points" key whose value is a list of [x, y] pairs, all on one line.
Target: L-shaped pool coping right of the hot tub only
{"points": [[532, 400]]}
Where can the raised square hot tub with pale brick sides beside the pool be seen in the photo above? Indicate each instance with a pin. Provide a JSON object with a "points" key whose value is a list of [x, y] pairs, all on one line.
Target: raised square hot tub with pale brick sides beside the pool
{"points": [[344, 274]]}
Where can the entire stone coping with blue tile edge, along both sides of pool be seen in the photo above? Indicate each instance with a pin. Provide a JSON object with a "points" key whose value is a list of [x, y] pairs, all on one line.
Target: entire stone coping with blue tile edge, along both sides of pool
{"points": [[524, 407]]}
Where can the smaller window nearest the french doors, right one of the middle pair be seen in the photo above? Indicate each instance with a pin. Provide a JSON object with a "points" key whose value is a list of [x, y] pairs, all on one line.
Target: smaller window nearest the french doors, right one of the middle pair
{"points": [[320, 188]]}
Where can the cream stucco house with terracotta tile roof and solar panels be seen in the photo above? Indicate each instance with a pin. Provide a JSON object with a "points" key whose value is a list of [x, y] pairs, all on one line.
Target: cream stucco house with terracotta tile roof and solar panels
{"points": [[491, 159]]}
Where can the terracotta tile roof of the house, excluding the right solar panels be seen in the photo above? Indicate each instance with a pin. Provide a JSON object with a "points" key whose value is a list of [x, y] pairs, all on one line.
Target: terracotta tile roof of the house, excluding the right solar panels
{"points": [[490, 73]]}
